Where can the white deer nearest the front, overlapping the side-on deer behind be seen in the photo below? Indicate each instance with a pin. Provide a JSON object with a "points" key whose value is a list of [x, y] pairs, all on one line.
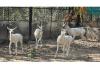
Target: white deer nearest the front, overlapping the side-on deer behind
{"points": [[65, 41]]}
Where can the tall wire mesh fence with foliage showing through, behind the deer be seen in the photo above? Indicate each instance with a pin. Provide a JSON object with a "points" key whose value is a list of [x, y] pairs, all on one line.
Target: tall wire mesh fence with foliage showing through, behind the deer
{"points": [[51, 18]]}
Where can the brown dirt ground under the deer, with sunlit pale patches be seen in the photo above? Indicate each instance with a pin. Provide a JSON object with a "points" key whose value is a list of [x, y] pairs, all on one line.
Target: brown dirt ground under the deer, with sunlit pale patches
{"points": [[78, 53]]}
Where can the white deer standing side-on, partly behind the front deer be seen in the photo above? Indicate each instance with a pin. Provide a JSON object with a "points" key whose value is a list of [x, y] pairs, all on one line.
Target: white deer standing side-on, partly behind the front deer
{"points": [[76, 31]]}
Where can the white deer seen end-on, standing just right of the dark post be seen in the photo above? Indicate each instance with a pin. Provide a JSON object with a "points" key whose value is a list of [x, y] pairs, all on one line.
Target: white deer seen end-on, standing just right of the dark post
{"points": [[38, 35]]}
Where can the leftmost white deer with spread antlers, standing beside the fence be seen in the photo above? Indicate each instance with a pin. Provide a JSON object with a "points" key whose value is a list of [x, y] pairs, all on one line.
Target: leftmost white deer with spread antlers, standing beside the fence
{"points": [[15, 38]]}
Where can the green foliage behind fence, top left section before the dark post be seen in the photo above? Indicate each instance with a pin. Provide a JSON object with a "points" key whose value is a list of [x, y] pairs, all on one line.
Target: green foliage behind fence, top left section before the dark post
{"points": [[14, 14]]}
